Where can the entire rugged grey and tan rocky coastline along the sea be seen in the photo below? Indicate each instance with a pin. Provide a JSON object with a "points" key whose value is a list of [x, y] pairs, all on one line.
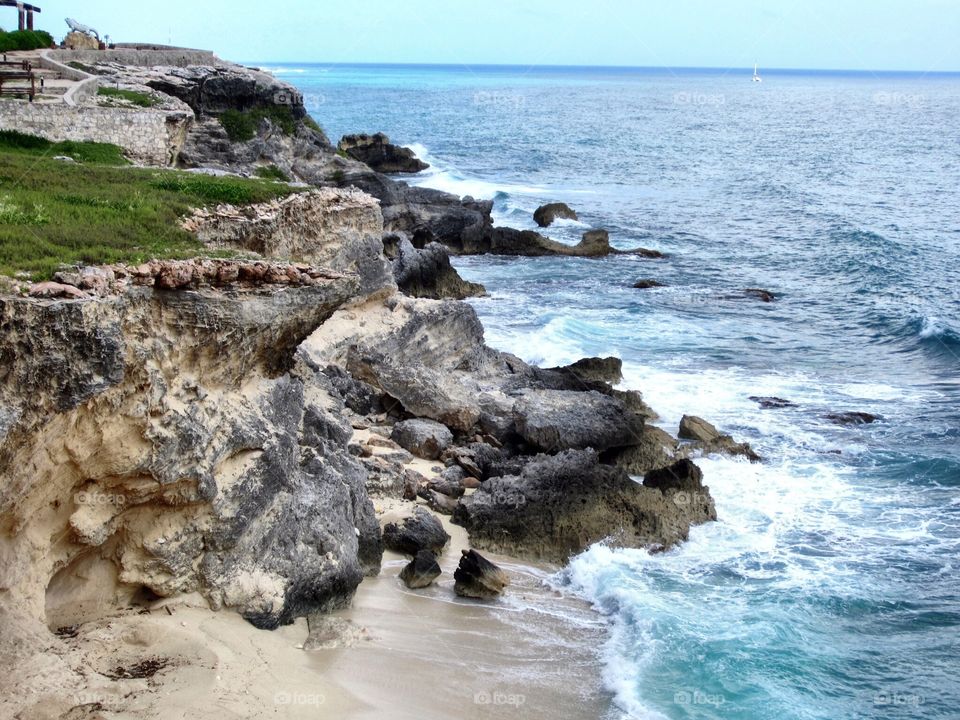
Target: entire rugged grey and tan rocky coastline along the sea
{"points": [[228, 432]]}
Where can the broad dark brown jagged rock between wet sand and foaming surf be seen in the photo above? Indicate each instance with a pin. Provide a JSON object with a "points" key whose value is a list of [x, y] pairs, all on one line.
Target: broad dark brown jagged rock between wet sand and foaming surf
{"points": [[559, 505]]}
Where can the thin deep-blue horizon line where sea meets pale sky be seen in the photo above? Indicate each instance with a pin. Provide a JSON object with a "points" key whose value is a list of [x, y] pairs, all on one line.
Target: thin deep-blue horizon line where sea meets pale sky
{"points": [[775, 70]]}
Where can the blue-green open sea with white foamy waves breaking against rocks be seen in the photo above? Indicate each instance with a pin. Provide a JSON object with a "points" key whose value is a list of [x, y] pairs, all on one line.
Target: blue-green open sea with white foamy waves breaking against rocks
{"points": [[830, 586]]}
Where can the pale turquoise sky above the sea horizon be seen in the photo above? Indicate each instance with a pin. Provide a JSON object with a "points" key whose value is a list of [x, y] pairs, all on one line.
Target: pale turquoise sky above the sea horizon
{"points": [[917, 35]]}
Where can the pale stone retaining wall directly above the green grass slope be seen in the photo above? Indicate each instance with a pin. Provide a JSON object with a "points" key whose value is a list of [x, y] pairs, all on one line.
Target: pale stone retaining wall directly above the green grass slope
{"points": [[150, 137]]}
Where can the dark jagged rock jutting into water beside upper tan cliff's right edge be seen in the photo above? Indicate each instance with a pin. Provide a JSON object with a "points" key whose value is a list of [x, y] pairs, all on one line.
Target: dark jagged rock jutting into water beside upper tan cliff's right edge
{"points": [[428, 272]]}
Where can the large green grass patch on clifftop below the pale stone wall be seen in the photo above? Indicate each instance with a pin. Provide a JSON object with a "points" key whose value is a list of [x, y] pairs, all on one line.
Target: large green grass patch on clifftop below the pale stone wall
{"points": [[54, 213]]}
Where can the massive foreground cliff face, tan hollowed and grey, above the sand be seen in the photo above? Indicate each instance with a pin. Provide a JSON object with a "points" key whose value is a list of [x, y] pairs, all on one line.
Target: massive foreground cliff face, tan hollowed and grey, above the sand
{"points": [[174, 446]]}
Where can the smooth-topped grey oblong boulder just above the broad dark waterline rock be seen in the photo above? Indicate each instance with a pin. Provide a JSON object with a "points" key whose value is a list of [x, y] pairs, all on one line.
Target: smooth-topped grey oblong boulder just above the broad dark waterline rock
{"points": [[553, 420]]}
